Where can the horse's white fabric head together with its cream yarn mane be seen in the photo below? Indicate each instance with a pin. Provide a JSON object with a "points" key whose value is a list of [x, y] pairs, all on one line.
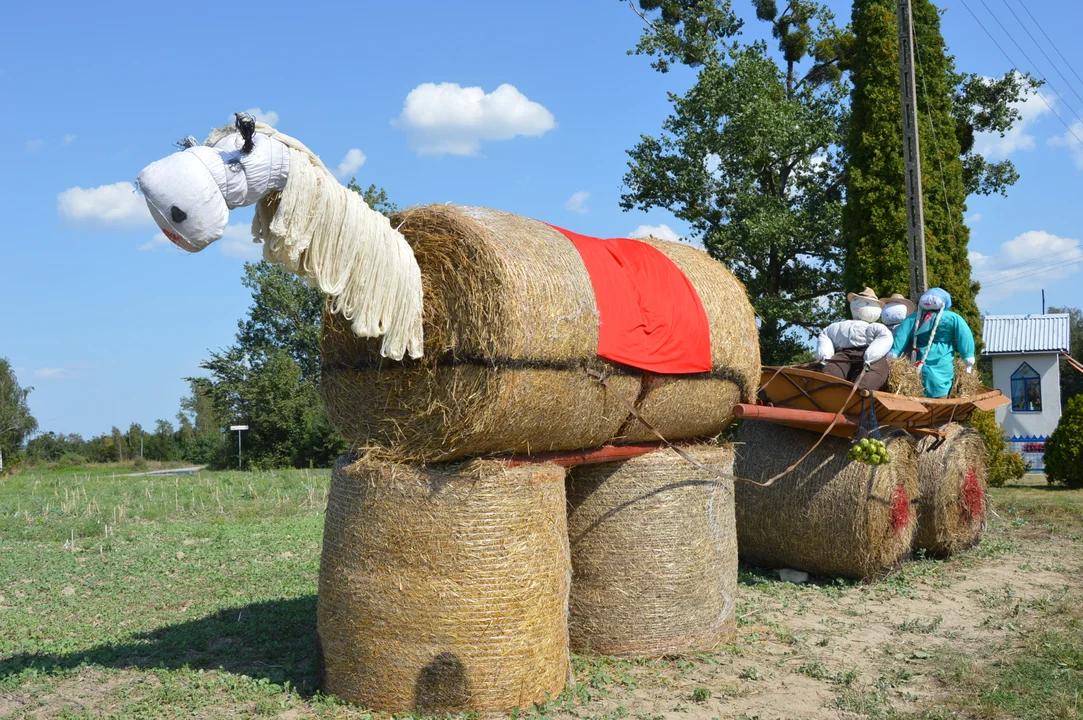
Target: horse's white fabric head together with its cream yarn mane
{"points": [[315, 227]]}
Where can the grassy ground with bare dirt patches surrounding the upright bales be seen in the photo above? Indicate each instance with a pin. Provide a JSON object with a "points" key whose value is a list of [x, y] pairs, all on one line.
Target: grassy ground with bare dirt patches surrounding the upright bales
{"points": [[195, 597]]}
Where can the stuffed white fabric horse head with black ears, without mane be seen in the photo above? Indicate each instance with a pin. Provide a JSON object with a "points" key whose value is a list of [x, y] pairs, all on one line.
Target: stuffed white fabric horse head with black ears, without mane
{"points": [[191, 193]]}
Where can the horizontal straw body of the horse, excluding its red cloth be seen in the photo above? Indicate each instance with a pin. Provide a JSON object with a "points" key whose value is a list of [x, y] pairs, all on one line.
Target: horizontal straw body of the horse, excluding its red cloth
{"points": [[511, 326]]}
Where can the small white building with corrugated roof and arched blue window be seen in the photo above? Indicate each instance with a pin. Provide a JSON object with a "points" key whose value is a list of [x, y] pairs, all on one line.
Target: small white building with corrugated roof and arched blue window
{"points": [[1026, 352]]}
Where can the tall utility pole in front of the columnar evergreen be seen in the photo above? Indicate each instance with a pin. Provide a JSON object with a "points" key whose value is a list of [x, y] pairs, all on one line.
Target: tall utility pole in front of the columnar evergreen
{"points": [[911, 154]]}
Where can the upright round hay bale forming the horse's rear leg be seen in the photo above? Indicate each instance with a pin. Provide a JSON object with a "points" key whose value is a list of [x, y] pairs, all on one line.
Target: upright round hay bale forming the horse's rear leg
{"points": [[655, 555]]}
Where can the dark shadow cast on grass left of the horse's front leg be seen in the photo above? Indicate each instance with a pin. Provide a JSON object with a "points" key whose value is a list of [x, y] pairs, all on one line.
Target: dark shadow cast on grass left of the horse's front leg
{"points": [[275, 640]]}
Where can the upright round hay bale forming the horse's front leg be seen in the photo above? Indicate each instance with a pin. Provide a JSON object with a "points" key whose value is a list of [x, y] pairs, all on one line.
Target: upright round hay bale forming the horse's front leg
{"points": [[445, 590]]}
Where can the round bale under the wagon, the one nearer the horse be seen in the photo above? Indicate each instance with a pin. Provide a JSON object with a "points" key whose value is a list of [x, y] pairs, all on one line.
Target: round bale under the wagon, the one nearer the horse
{"points": [[832, 516]]}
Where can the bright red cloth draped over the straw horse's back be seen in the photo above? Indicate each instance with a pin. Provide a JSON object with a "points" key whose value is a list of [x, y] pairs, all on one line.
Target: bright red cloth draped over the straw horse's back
{"points": [[649, 313]]}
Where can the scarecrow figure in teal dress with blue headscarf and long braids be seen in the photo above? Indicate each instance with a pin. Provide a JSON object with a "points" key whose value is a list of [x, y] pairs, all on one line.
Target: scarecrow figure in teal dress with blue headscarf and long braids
{"points": [[933, 336]]}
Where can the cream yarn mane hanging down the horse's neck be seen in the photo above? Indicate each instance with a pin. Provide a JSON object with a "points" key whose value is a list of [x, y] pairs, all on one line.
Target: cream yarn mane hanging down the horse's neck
{"points": [[320, 230]]}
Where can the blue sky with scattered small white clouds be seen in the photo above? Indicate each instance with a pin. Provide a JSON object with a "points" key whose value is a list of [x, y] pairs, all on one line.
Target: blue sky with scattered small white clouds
{"points": [[106, 321]]}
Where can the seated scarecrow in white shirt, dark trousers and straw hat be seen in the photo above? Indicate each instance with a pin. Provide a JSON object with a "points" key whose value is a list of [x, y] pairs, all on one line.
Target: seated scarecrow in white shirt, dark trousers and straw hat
{"points": [[849, 347]]}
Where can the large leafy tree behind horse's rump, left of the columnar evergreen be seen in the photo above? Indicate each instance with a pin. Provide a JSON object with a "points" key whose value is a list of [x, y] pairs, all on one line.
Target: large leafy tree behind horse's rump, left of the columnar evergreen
{"points": [[749, 155]]}
